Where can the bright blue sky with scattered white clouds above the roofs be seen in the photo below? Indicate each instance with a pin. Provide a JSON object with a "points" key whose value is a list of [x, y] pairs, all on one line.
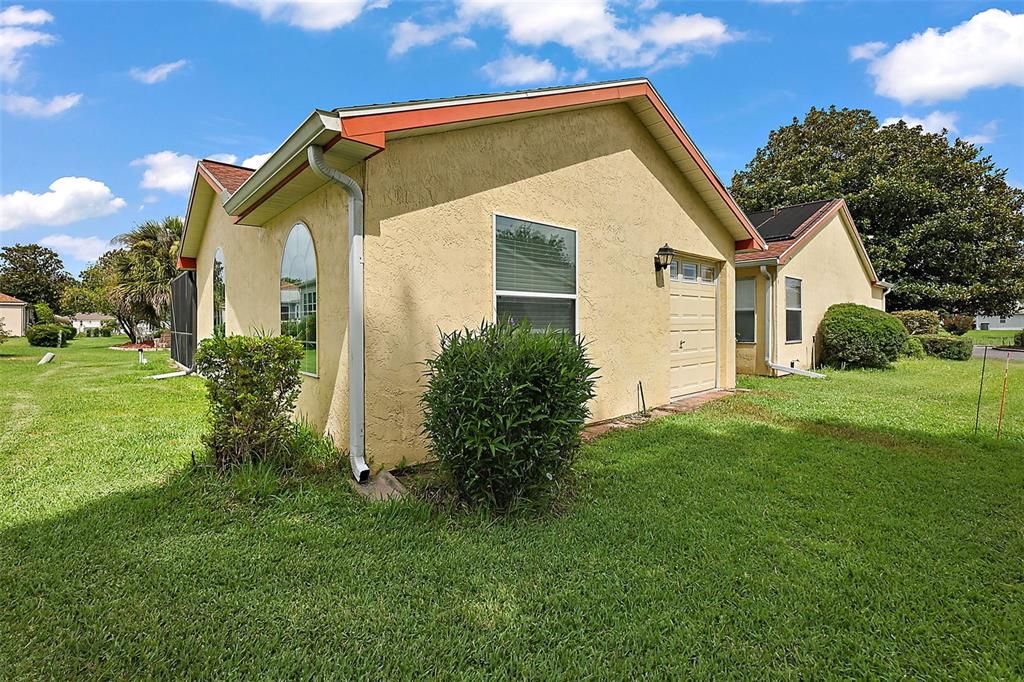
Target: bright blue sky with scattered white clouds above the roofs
{"points": [[106, 106]]}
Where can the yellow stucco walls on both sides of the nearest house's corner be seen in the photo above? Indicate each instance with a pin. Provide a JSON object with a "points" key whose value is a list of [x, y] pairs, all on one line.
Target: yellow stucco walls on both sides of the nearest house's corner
{"points": [[430, 255]]}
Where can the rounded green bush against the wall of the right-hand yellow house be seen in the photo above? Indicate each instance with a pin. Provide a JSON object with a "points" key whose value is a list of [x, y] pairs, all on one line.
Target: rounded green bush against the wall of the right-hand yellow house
{"points": [[855, 335]]}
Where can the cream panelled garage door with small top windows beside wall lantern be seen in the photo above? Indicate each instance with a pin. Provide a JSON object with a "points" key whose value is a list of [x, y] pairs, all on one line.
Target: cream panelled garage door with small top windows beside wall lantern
{"points": [[693, 327]]}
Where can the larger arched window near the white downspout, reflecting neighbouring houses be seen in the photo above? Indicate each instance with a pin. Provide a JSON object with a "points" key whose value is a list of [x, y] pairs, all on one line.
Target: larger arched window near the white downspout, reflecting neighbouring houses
{"points": [[298, 293]]}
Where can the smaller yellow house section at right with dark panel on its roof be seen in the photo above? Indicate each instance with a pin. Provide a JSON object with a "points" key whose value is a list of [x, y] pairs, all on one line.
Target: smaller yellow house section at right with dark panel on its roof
{"points": [[816, 259]]}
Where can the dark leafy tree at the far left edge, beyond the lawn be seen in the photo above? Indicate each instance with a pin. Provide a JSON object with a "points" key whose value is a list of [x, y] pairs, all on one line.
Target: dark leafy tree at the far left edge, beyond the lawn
{"points": [[33, 274]]}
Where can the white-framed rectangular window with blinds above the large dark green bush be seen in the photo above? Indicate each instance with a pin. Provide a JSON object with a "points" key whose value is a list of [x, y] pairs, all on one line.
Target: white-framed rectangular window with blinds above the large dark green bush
{"points": [[535, 274]]}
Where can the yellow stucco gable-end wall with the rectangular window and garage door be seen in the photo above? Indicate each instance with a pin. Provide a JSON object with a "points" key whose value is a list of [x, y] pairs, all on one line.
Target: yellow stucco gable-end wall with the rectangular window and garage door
{"points": [[430, 252]]}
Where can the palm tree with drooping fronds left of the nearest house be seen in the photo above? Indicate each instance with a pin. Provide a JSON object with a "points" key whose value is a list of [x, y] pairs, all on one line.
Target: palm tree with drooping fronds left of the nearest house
{"points": [[151, 263]]}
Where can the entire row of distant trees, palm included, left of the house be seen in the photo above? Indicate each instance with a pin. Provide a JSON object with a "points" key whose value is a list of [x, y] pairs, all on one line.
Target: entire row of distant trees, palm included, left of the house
{"points": [[132, 282]]}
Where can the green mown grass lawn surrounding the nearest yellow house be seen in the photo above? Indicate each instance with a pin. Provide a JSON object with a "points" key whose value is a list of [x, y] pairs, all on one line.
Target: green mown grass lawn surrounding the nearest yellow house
{"points": [[845, 528]]}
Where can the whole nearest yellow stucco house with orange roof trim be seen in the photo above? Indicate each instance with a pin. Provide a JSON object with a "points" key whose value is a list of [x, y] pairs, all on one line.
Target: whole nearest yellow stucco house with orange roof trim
{"points": [[547, 205]]}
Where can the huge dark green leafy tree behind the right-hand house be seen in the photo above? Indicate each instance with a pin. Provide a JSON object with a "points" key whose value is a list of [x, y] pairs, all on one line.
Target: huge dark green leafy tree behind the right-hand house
{"points": [[940, 220]]}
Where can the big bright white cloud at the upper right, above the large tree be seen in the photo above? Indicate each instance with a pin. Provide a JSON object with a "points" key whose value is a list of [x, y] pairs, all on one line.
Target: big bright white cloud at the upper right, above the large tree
{"points": [[986, 52]]}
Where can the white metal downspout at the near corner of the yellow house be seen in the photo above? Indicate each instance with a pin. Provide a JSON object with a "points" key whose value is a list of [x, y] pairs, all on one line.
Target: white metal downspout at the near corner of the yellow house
{"points": [[357, 350]]}
